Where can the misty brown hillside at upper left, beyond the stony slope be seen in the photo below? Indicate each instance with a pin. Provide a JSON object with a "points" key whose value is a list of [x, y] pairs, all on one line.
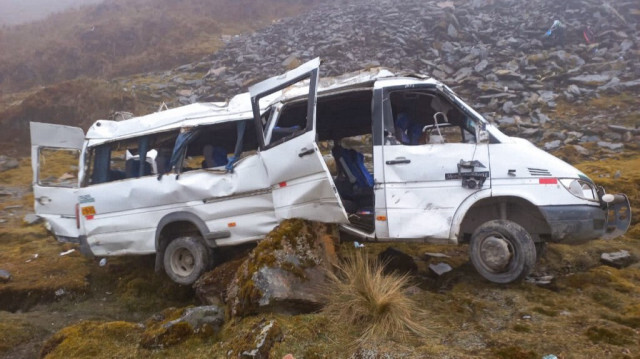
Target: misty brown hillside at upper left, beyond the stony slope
{"points": [[122, 37]]}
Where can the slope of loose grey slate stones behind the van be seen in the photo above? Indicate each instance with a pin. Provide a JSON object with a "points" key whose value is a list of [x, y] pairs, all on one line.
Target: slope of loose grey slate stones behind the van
{"points": [[493, 53]]}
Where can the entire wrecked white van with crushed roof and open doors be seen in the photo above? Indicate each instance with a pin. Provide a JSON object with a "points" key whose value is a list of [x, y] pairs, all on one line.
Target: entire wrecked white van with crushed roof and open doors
{"points": [[389, 158]]}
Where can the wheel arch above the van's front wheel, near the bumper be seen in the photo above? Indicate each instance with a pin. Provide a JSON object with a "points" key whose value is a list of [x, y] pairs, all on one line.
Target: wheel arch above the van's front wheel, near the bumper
{"points": [[513, 208]]}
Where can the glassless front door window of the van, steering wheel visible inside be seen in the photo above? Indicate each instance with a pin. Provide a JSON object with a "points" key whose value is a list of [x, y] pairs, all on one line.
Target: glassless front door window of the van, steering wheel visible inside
{"points": [[421, 117]]}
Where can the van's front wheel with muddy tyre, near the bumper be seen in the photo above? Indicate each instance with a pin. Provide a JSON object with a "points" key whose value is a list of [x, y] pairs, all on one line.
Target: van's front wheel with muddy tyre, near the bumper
{"points": [[502, 251]]}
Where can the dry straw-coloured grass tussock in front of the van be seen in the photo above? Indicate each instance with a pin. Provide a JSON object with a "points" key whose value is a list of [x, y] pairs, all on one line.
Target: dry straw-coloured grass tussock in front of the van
{"points": [[360, 294]]}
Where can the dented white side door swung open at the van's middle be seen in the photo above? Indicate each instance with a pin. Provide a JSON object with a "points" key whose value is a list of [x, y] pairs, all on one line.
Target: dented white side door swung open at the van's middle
{"points": [[302, 186]]}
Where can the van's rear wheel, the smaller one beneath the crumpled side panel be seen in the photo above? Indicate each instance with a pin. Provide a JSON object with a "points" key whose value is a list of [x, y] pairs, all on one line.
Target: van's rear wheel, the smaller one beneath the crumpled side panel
{"points": [[185, 259]]}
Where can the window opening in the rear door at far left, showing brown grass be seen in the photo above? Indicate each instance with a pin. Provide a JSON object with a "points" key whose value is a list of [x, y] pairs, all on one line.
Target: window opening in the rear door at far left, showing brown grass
{"points": [[58, 167]]}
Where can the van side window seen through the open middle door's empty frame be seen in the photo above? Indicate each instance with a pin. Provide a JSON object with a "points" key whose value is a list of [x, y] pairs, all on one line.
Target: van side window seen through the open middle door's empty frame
{"points": [[288, 122]]}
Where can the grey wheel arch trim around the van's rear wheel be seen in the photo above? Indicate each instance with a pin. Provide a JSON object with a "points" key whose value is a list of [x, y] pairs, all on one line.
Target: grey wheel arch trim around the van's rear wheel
{"points": [[172, 224]]}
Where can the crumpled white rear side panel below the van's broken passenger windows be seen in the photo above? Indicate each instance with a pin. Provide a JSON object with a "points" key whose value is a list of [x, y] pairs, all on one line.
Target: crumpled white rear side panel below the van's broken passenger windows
{"points": [[127, 212]]}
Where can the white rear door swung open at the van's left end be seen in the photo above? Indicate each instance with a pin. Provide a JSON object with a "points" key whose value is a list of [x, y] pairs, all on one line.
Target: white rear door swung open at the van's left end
{"points": [[55, 151]]}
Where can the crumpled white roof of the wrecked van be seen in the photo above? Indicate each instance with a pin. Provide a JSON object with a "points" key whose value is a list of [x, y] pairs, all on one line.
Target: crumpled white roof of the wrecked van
{"points": [[239, 107]]}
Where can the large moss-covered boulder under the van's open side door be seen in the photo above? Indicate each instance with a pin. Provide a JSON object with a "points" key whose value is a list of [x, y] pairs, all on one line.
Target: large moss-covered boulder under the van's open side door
{"points": [[283, 272]]}
